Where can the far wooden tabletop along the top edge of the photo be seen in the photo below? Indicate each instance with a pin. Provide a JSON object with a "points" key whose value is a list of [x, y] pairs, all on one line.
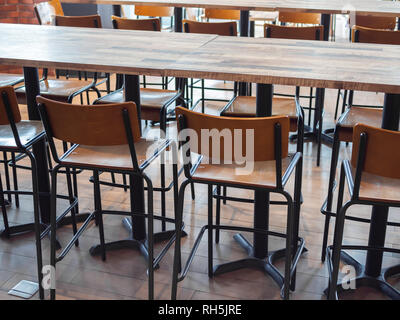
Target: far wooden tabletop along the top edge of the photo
{"points": [[364, 7]]}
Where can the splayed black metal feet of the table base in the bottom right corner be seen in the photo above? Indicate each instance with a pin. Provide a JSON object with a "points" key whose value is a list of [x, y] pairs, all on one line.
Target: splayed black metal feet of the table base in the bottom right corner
{"points": [[364, 280]]}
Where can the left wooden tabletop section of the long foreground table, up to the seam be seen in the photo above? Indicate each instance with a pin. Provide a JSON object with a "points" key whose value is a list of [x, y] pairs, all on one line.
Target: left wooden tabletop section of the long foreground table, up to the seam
{"points": [[107, 50]]}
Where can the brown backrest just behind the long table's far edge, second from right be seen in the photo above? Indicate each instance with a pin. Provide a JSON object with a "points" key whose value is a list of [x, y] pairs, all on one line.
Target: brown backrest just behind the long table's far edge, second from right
{"points": [[303, 33]]}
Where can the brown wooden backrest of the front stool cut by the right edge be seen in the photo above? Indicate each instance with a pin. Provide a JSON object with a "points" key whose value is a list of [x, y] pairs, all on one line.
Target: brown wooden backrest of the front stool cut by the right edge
{"points": [[382, 151]]}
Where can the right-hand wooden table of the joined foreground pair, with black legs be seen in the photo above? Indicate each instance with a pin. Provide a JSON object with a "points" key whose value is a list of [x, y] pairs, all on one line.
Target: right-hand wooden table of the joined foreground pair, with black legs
{"points": [[351, 66]]}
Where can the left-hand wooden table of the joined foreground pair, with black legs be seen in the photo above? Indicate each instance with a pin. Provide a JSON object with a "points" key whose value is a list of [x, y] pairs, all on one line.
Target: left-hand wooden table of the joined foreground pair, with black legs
{"points": [[131, 53]]}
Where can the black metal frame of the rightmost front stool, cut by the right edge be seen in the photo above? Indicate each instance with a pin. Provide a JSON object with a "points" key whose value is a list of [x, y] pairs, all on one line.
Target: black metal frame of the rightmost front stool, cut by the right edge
{"points": [[363, 277]]}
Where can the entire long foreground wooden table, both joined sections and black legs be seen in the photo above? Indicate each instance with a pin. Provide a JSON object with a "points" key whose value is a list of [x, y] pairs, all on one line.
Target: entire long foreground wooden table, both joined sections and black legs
{"points": [[352, 66]]}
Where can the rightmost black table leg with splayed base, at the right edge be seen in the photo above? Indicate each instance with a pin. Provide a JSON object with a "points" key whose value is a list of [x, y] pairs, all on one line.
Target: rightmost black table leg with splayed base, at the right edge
{"points": [[371, 274]]}
